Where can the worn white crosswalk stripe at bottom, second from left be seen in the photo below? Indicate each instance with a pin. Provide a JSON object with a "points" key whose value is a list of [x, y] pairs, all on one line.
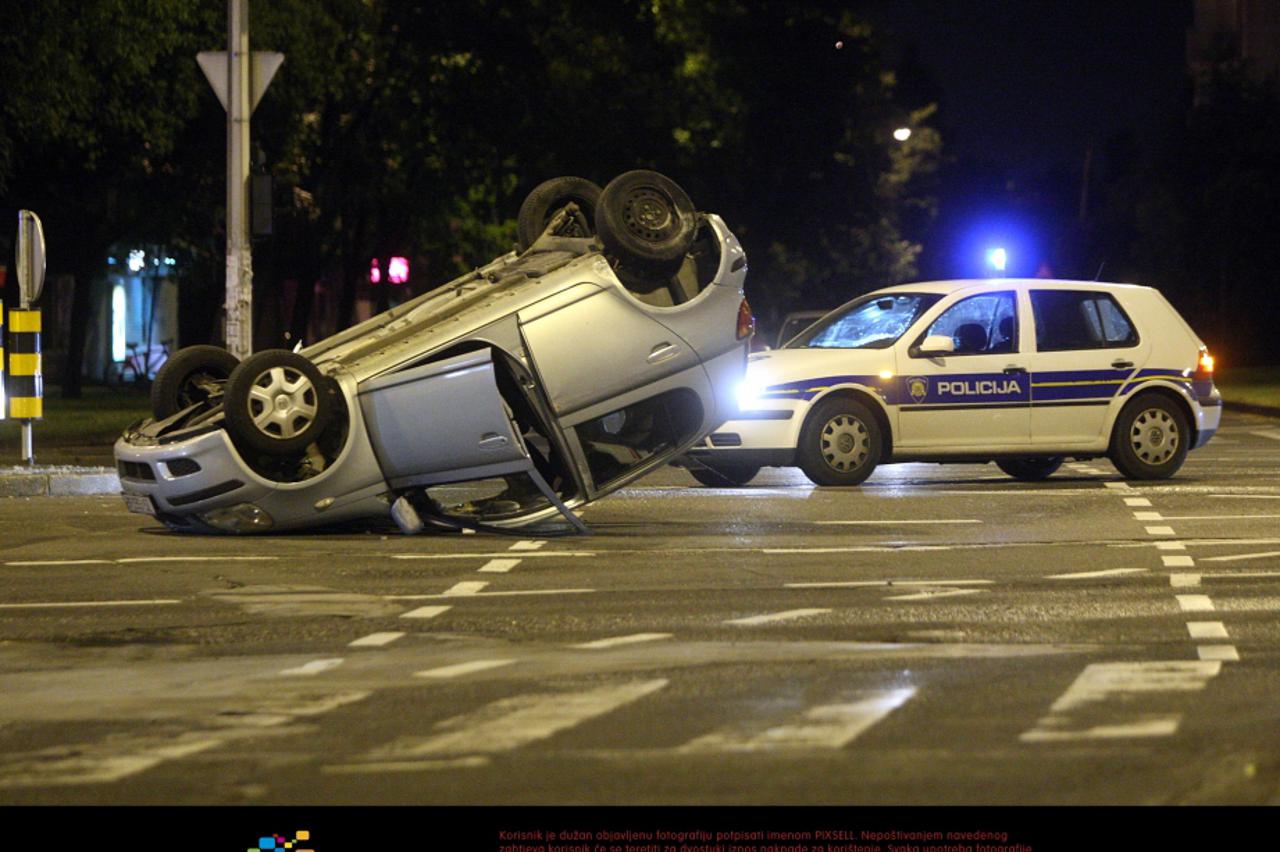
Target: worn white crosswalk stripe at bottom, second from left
{"points": [[511, 723]]}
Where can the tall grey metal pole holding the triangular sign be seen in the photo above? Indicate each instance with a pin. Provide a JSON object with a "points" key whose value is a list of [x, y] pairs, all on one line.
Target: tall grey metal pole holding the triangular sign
{"points": [[240, 262]]}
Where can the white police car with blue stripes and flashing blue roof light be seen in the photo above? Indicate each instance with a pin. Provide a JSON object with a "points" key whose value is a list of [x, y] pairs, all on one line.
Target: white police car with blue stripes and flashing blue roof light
{"points": [[1025, 373]]}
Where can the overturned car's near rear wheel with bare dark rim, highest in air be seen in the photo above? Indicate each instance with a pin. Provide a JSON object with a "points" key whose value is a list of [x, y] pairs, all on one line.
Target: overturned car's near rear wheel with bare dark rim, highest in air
{"points": [[647, 223]]}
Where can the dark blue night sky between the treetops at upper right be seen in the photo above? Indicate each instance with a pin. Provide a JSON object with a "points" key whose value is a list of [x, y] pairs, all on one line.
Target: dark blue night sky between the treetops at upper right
{"points": [[1028, 83]]}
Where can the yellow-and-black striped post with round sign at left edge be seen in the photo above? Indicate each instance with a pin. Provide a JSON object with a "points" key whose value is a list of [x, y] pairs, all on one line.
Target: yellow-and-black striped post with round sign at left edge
{"points": [[26, 390]]}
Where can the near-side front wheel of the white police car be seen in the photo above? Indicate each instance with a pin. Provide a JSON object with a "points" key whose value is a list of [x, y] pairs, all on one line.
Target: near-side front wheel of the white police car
{"points": [[840, 443]]}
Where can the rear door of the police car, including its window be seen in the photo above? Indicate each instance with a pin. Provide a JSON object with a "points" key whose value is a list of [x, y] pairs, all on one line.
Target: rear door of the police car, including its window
{"points": [[1086, 349]]}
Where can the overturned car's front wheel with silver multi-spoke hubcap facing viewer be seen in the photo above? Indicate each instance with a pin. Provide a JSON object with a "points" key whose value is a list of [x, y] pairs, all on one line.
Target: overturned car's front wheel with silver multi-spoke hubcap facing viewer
{"points": [[277, 402]]}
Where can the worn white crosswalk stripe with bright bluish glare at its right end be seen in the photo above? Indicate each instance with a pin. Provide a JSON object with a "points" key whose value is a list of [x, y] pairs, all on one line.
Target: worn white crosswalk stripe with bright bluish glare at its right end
{"points": [[829, 727]]}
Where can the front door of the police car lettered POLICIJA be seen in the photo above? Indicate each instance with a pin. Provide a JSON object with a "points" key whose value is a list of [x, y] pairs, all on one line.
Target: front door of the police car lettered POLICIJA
{"points": [[975, 398]]}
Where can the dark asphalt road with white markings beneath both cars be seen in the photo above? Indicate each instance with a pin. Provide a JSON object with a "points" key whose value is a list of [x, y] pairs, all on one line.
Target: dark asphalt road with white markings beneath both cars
{"points": [[939, 636]]}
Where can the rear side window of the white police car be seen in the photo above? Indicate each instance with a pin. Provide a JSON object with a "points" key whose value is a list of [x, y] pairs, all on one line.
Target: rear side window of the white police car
{"points": [[1080, 320]]}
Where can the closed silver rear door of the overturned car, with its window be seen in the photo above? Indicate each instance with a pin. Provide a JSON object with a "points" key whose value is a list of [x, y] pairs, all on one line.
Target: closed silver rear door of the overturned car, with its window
{"points": [[624, 387]]}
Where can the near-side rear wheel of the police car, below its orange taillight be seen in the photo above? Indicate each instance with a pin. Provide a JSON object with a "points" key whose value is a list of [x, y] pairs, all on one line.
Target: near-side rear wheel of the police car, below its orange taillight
{"points": [[1151, 438]]}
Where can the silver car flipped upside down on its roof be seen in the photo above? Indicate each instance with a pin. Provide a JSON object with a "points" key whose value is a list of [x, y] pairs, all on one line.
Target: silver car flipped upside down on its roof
{"points": [[604, 347]]}
